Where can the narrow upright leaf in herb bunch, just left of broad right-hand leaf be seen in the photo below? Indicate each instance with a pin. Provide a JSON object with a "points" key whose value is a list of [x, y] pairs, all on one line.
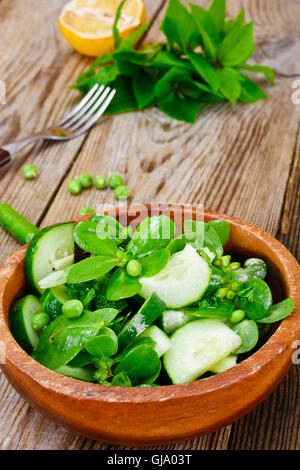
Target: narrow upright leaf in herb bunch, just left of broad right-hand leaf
{"points": [[207, 29]]}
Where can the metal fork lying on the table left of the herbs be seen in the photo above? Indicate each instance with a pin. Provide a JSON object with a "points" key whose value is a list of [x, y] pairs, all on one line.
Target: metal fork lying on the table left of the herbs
{"points": [[78, 121]]}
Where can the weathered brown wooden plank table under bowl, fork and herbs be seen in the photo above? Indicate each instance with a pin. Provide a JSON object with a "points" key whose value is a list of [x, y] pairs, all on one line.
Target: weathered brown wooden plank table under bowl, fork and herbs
{"points": [[242, 161]]}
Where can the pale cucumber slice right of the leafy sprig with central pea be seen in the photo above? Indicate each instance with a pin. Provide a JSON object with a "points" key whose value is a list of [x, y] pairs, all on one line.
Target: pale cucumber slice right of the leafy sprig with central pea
{"points": [[182, 282]]}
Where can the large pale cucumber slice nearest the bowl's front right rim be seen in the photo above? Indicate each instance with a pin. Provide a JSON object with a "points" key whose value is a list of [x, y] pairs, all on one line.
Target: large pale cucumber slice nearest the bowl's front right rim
{"points": [[198, 346]]}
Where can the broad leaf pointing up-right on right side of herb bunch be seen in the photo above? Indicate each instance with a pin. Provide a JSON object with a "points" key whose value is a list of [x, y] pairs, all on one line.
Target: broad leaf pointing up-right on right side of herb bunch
{"points": [[237, 46]]}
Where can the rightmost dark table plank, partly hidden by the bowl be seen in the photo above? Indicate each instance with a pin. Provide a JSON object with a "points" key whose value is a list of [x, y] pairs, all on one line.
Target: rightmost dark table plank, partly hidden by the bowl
{"points": [[278, 417]]}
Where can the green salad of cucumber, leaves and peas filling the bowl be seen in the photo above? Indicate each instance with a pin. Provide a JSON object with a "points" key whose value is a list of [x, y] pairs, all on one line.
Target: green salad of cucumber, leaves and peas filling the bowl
{"points": [[141, 308]]}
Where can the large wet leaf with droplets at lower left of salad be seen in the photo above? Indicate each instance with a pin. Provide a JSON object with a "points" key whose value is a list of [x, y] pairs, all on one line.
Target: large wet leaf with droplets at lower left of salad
{"points": [[63, 339]]}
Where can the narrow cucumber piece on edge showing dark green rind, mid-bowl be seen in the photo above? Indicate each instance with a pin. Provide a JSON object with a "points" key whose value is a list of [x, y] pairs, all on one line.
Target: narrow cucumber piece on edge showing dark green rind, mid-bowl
{"points": [[151, 309]]}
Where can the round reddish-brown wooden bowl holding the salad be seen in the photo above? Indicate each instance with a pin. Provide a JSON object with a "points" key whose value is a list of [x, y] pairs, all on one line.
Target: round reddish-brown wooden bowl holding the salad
{"points": [[166, 414]]}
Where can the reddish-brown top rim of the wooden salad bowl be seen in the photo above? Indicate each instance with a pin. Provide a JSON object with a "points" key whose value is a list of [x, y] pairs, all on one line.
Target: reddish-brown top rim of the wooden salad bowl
{"points": [[284, 336]]}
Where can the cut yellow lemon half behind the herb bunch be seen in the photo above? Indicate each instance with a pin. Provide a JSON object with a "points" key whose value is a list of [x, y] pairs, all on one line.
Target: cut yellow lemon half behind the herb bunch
{"points": [[87, 25]]}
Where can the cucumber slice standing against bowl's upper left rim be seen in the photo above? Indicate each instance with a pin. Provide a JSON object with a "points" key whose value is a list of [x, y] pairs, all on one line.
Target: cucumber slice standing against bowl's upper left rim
{"points": [[53, 246]]}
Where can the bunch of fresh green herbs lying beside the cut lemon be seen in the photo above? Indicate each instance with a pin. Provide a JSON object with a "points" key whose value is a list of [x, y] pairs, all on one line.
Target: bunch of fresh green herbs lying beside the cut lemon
{"points": [[203, 61]]}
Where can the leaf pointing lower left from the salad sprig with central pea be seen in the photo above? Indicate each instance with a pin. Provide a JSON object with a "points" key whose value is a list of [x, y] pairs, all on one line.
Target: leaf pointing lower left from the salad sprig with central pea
{"points": [[91, 268]]}
